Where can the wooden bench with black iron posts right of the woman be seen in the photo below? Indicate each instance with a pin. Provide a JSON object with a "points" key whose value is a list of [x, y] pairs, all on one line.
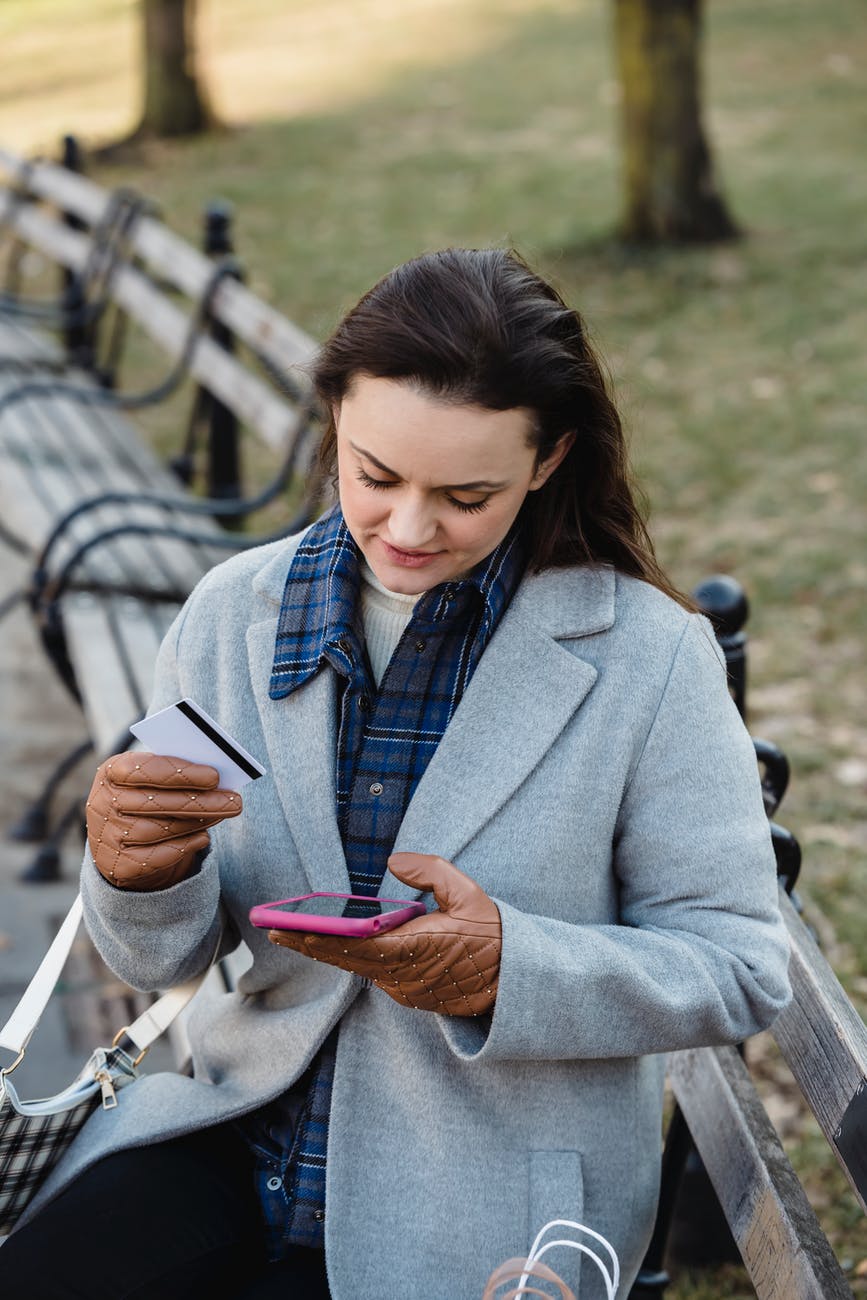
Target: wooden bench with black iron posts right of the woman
{"points": [[719, 1112]]}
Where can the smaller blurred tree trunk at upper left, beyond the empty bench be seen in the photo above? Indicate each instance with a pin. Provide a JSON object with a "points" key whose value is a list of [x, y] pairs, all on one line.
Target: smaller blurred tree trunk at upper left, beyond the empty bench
{"points": [[175, 102]]}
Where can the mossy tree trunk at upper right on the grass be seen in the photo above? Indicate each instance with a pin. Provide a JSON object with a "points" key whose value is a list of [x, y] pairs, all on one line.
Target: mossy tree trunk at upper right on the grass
{"points": [[671, 193]]}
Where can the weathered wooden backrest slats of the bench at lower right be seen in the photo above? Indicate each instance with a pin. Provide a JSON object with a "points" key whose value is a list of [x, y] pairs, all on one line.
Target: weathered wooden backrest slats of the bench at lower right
{"points": [[825, 1045]]}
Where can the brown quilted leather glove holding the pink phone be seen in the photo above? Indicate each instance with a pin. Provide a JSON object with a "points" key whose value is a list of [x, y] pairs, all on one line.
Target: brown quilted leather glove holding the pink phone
{"points": [[448, 961]]}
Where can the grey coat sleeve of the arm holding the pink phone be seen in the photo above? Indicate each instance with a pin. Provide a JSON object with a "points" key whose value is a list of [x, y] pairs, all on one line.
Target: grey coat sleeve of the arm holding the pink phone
{"points": [[700, 955]]}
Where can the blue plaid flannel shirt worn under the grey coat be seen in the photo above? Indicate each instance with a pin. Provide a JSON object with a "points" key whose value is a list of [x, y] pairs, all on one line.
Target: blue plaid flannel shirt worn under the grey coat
{"points": [[387, 738]]}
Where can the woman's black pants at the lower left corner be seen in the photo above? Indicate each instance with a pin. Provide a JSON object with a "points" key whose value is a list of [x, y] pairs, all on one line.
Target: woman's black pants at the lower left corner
{"points": [[179, 1221]]}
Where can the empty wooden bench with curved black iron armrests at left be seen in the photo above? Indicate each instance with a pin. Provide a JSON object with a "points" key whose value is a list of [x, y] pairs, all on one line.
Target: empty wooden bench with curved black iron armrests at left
{"points": [[115, 538]]}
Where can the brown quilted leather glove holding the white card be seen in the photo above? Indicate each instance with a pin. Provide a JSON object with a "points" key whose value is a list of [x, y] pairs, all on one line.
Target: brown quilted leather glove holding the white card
{"points": [[148, 818]]}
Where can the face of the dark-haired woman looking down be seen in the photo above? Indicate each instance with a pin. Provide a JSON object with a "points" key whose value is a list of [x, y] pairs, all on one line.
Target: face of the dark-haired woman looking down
{"points": [[430, 488]]}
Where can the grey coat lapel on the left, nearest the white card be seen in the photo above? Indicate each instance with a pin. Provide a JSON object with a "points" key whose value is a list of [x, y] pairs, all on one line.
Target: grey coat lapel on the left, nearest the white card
{"points": [[301, 735]]}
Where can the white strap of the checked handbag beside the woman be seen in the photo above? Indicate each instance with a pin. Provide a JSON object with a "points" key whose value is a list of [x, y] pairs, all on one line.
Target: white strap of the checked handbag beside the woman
{"points": [[155, 1021]]}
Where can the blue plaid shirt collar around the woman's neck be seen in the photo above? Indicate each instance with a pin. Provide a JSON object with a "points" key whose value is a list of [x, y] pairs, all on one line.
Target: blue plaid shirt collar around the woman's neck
{"points": [[319, 617]]}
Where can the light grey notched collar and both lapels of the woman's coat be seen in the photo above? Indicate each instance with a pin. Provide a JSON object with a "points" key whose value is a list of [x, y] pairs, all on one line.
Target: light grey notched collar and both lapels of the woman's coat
{"points": [[522, 696]]}
